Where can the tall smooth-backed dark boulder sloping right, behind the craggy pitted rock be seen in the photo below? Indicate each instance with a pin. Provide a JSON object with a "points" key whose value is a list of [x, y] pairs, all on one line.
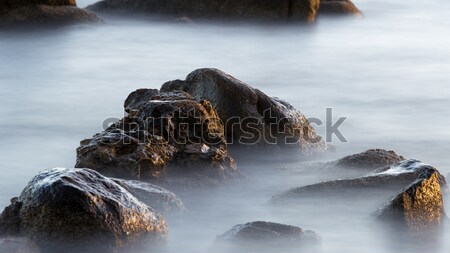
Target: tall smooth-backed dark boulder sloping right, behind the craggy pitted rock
{"points": [[250, 116]]}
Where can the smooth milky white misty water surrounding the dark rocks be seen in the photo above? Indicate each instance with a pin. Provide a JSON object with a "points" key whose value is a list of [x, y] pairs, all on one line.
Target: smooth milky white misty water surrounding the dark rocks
{"points": [[388, 73]]}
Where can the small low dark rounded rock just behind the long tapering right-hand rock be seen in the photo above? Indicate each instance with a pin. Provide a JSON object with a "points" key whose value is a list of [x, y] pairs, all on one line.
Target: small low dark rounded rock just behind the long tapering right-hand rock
{"points": [[370, 159]]}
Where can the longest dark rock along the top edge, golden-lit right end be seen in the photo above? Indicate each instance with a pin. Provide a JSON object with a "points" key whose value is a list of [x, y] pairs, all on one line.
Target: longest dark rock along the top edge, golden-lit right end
{"points": [[228, 10]]}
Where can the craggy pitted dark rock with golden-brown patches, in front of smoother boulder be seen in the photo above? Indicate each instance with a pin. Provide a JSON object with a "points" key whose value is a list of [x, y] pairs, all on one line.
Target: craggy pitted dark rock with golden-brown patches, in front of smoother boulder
{"points": [[165, 135]]}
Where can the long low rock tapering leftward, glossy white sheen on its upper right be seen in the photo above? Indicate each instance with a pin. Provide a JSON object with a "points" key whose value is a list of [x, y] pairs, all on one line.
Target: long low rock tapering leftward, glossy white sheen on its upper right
{"points": [[392, 179]]}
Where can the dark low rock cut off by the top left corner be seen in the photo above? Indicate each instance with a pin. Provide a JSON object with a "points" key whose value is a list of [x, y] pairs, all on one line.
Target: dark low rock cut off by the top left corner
{"points": [[43, 12]]}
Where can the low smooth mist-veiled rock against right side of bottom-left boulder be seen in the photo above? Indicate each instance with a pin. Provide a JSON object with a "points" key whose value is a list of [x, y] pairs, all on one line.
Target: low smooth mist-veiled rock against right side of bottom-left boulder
{"points": [[156, 197]]}
